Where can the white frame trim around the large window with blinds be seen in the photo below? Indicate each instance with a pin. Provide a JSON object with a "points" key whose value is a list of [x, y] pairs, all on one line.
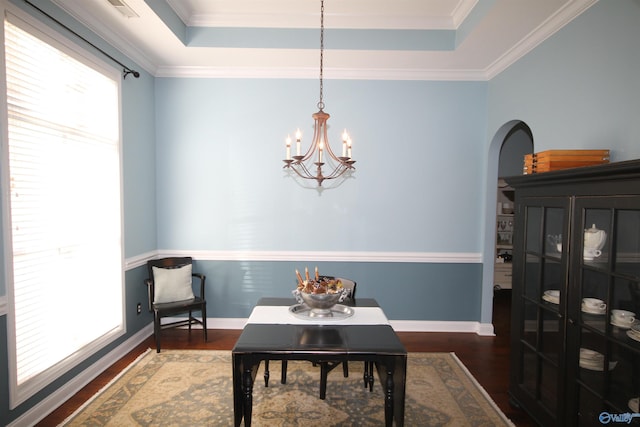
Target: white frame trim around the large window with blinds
{"points": [[19, 394]]}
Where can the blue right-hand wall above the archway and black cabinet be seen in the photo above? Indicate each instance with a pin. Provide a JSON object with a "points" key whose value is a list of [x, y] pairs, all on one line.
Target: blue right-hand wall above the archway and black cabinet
{"points": [[580, 88]]}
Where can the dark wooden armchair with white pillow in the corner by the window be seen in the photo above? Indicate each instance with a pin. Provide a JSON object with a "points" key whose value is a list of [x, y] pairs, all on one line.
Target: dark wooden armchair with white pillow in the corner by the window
{"points": [[170, 289]]}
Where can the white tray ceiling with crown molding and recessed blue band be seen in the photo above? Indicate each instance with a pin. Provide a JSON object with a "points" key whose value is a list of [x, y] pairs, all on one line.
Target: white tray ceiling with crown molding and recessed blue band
{"points": [[364, 39]]}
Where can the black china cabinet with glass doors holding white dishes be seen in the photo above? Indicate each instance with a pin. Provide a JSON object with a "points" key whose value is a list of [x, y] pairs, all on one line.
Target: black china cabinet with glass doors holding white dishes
{"points": [[572, 365]]}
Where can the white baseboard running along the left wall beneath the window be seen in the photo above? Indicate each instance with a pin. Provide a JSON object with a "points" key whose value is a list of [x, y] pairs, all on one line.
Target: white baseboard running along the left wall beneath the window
{"points": [[61, 395]]}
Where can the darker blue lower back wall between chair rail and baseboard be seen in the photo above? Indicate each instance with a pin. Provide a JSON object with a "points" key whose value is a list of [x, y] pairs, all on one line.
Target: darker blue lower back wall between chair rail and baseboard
{"points": [[407, 291]]}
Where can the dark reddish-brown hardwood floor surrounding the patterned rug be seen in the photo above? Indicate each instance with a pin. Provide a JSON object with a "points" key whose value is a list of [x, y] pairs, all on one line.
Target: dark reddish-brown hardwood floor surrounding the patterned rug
{"points": [[487, 358]]}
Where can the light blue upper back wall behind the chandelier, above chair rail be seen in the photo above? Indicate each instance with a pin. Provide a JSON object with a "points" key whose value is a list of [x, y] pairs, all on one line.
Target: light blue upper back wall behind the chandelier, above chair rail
{"points": [[222, 186]]}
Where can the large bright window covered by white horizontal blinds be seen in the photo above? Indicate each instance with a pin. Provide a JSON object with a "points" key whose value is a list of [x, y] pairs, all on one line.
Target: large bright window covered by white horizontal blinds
{"points": [[65, 261]]}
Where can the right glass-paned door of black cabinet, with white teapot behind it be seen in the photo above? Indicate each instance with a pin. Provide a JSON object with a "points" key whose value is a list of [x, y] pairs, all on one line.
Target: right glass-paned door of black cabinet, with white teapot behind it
{"points": [[606, 245]]}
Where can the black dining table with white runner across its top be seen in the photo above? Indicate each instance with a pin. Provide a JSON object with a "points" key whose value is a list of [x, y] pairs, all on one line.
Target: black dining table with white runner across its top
{"points": [[277, 330]]}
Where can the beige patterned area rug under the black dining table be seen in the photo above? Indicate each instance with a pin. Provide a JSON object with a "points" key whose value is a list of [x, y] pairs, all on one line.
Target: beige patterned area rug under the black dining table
{"points": [[194, 388]]}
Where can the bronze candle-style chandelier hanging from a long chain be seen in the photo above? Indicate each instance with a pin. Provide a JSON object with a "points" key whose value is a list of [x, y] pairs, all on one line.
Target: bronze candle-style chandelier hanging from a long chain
{"points": [[310, 164]]}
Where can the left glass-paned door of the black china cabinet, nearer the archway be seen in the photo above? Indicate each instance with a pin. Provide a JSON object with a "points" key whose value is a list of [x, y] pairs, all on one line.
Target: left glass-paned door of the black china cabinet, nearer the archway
{"points": [[539, 304]]}
